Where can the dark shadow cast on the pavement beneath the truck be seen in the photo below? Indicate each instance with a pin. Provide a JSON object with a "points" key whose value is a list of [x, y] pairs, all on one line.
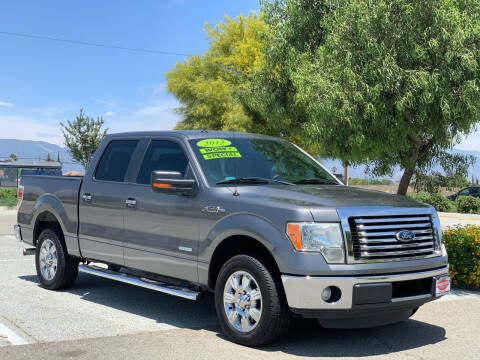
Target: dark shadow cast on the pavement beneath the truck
{"points": [[306, 337]]}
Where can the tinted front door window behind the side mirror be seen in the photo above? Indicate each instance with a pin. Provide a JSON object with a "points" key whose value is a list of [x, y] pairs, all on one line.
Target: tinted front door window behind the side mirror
{"points": [[162, 155]]}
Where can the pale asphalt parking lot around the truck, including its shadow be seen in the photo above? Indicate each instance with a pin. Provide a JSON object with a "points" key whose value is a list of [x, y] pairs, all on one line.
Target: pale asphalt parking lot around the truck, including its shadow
{"points": [[103, 319]]}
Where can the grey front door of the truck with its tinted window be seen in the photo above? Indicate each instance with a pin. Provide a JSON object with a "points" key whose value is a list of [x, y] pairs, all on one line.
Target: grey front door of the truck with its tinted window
{"points": [[161, 231]]}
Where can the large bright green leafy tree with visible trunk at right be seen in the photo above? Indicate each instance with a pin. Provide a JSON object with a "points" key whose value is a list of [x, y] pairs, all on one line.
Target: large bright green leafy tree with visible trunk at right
{"points": [[394, 83]]}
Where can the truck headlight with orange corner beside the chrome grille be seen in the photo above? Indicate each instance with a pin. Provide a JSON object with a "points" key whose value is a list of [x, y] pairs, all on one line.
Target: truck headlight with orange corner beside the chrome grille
{"points": [[325, 238]]}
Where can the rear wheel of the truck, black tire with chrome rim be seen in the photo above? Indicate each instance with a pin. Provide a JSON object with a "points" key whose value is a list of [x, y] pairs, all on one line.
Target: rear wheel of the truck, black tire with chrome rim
{"points": [[55, 268]]}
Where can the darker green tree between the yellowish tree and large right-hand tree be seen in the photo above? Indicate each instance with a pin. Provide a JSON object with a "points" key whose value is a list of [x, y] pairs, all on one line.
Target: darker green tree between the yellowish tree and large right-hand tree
{"points": [[295, 31]]}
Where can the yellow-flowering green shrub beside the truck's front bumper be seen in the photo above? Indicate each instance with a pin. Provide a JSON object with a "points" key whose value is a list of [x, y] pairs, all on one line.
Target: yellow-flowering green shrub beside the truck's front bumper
{"points": [[463, 247]]}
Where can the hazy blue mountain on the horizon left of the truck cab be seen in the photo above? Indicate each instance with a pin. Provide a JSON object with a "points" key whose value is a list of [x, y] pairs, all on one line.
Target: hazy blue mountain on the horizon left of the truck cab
{"points": [[35, 150]]}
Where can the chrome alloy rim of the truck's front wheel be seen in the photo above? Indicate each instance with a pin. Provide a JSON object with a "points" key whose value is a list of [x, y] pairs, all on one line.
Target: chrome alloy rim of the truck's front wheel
{"points": [[242, 301]]}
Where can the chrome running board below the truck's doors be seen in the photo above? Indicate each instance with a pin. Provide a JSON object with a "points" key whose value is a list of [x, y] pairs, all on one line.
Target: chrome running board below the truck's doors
{"points": [[142, 282]]}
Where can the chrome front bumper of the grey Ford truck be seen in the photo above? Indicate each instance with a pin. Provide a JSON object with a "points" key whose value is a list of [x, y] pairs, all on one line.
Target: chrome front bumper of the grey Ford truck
{"points": [[304, 292]]}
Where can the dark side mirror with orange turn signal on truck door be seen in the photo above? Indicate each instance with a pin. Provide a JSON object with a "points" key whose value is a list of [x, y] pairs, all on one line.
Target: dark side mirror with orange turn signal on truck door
{"points": [[171, 182]]}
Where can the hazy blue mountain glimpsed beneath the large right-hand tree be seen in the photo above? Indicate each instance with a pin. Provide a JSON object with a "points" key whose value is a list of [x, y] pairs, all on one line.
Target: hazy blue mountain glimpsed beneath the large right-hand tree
{"points": [[359, 171]]}
